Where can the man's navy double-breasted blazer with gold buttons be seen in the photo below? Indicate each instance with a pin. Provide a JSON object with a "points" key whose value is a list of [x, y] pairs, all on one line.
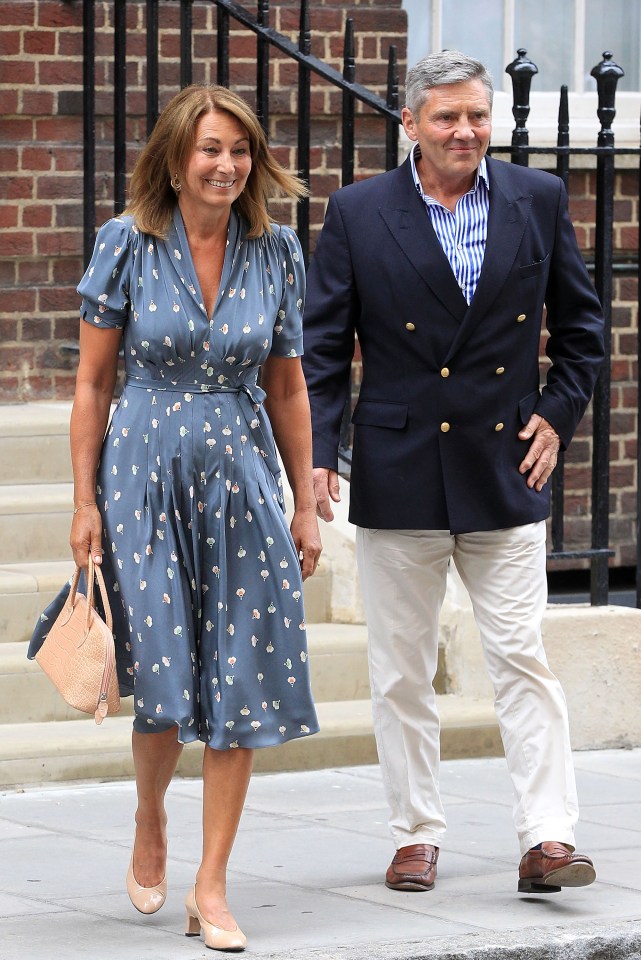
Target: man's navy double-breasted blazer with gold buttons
{"points": [[446, 387]]}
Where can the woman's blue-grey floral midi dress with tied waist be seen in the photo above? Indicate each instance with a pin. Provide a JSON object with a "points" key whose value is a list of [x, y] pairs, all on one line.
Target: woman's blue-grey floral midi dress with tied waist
{"points": [[201, 567]]}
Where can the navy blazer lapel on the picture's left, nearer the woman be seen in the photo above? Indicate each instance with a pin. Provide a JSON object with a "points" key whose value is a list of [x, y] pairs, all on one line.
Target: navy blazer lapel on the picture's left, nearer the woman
{"points": [[409, 224]]}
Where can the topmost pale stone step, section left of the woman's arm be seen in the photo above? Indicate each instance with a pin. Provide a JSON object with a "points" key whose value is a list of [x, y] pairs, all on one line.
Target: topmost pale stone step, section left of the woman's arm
{"points": [[34, 443]]}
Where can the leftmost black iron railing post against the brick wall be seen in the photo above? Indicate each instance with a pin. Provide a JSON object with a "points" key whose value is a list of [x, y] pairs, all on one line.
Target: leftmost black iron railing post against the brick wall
{"points": [[89, 128]]}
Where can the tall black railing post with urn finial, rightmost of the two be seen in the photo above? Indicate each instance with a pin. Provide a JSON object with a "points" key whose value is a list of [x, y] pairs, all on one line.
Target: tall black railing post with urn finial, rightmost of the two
{"points": [[606, 74]]}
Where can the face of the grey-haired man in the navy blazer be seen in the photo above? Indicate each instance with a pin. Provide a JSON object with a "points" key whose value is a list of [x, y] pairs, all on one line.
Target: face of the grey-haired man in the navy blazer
{"points": [[453, 129]]}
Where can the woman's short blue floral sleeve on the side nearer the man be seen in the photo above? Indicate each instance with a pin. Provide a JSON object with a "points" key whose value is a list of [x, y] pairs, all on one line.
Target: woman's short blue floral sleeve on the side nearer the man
{"points": [[288, 329]]}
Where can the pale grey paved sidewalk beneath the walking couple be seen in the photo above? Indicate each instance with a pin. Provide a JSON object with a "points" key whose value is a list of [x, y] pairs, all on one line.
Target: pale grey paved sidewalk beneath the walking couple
{"points": [[306, 873]]}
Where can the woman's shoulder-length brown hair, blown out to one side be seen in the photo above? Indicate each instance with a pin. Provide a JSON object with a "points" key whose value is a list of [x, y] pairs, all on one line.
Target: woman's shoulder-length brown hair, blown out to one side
{"points": [[166, 154]]}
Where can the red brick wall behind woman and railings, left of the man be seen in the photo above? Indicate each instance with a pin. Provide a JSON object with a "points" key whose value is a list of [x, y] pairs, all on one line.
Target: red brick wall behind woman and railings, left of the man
{"points": [[41, 144]]}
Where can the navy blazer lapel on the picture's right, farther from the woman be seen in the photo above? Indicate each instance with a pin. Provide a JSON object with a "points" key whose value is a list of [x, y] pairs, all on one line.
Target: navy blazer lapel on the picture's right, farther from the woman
{"points": [[508, 217]]}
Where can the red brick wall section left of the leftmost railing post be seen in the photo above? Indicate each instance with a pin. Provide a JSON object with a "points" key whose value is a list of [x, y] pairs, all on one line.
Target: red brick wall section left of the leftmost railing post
{"points": [[41, 185]]}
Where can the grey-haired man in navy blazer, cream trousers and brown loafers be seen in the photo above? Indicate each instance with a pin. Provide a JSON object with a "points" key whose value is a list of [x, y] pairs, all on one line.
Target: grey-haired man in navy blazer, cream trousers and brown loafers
{"points": [[442, 267]]}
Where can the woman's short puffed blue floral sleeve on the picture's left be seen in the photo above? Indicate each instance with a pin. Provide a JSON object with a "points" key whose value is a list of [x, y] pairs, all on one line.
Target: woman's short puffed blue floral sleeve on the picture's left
{"points": [[105, 286]]}
